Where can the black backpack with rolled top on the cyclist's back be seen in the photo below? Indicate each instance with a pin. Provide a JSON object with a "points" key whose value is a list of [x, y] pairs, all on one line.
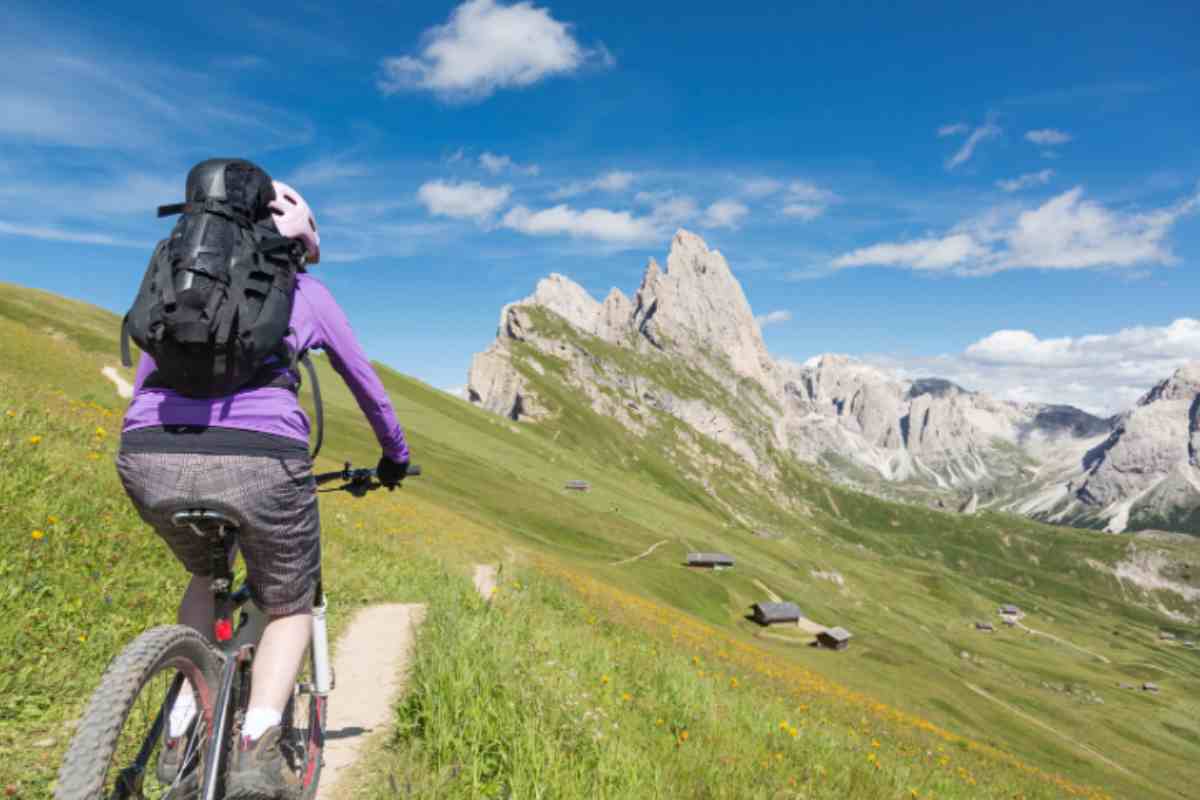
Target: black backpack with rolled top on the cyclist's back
{"points": [[215, 304]]}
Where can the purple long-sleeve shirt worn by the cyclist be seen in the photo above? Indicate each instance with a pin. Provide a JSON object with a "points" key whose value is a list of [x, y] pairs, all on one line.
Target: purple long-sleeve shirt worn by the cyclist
{"points": [[317, 323]]}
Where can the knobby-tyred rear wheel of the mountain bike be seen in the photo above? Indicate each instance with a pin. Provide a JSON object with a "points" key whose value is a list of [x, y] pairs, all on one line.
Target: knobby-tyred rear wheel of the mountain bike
{"points": [[116, 750]]}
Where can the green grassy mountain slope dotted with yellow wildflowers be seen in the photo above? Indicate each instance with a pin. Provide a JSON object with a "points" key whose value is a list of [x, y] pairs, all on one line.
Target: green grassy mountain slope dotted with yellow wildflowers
{"points": [[592, 675]]}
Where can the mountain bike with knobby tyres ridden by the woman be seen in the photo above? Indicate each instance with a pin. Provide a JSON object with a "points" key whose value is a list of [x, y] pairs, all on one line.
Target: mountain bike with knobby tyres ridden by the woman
{"points": [[115, 753]]}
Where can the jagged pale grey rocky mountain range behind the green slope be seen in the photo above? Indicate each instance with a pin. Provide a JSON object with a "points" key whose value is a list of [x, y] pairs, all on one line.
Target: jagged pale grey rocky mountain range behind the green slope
{"points": [[695, 354]]}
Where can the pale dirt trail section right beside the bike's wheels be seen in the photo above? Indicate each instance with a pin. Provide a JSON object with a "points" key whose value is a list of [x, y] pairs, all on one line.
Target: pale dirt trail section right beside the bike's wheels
{"points": [[369, 672]]}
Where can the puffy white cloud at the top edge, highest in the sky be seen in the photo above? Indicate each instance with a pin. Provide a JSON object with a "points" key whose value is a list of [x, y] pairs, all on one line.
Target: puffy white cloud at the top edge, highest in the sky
{"points": [[488, 46]]}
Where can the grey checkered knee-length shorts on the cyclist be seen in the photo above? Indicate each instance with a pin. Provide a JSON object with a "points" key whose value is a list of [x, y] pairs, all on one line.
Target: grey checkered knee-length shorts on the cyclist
{"points": [[274, 500]]}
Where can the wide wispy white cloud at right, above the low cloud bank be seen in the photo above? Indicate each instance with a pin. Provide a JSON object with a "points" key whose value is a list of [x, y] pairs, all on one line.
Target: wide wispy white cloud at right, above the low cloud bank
{"points": [[1066, 233]]}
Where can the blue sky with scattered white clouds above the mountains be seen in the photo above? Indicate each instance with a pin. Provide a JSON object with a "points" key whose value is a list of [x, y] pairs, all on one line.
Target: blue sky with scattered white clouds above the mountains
{"points": [[1005, 199]]}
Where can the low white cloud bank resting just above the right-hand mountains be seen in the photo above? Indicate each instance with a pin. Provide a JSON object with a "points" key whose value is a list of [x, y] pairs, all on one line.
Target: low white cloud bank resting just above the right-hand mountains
{"points": [[1103, 374]]}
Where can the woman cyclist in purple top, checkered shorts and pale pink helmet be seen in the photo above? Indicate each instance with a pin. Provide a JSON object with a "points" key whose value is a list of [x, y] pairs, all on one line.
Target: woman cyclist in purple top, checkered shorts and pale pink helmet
{"points": [[248, 454]]}
